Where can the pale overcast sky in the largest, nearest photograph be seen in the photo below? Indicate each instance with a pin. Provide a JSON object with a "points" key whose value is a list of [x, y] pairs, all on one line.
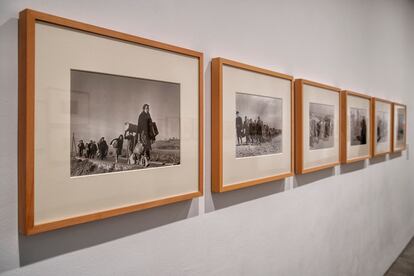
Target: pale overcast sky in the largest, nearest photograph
{"points": [[101, 104]]}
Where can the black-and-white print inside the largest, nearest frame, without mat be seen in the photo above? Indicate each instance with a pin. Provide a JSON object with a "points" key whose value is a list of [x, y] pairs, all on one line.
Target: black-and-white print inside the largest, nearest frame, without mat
{"points": [[121, 123]]}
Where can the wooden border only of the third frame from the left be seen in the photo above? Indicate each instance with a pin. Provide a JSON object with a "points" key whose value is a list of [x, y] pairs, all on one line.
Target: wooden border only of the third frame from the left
{"points": [[299, 169]]}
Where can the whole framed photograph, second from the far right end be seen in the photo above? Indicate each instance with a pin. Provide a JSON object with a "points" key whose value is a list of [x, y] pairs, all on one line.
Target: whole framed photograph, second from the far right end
{"points": [[381, 122]]}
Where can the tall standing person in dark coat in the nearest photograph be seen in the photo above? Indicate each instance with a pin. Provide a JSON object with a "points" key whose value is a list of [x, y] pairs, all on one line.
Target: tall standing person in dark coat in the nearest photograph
{"points": [[145, 134]]}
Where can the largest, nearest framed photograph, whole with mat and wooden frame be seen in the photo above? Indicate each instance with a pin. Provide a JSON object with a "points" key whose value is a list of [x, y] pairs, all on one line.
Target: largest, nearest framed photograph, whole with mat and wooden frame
{"points": [[109, 123]]}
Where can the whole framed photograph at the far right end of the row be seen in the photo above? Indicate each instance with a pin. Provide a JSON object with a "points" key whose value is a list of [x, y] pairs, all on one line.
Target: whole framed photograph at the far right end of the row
{"points": [[399, 127]]}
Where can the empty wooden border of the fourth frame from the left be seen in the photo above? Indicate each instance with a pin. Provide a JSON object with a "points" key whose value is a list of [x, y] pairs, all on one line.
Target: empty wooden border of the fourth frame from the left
{"points": [[344, 126]]}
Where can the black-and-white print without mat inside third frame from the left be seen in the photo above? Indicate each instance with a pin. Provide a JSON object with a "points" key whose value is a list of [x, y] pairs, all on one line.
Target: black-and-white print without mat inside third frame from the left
{"points": [[321, 126]]}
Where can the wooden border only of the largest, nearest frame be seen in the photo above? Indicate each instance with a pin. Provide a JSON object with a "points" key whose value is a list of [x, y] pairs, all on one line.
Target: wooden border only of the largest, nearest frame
{"points": [[27, 21]]}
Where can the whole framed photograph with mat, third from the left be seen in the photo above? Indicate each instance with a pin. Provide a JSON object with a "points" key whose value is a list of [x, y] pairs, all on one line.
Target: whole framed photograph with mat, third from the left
{"points": [[317, 113]]}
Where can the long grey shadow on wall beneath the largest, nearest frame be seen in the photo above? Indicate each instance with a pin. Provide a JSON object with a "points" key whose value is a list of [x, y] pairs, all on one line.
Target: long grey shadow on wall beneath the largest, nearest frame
{"points": [[50, 244]]}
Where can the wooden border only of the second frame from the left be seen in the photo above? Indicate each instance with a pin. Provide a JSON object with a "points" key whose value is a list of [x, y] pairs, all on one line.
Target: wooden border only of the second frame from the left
{"points": [[217, 184]]}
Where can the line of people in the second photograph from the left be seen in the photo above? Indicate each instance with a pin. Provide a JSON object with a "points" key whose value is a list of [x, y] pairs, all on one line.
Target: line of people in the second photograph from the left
{"points": [[254, 131]]}
